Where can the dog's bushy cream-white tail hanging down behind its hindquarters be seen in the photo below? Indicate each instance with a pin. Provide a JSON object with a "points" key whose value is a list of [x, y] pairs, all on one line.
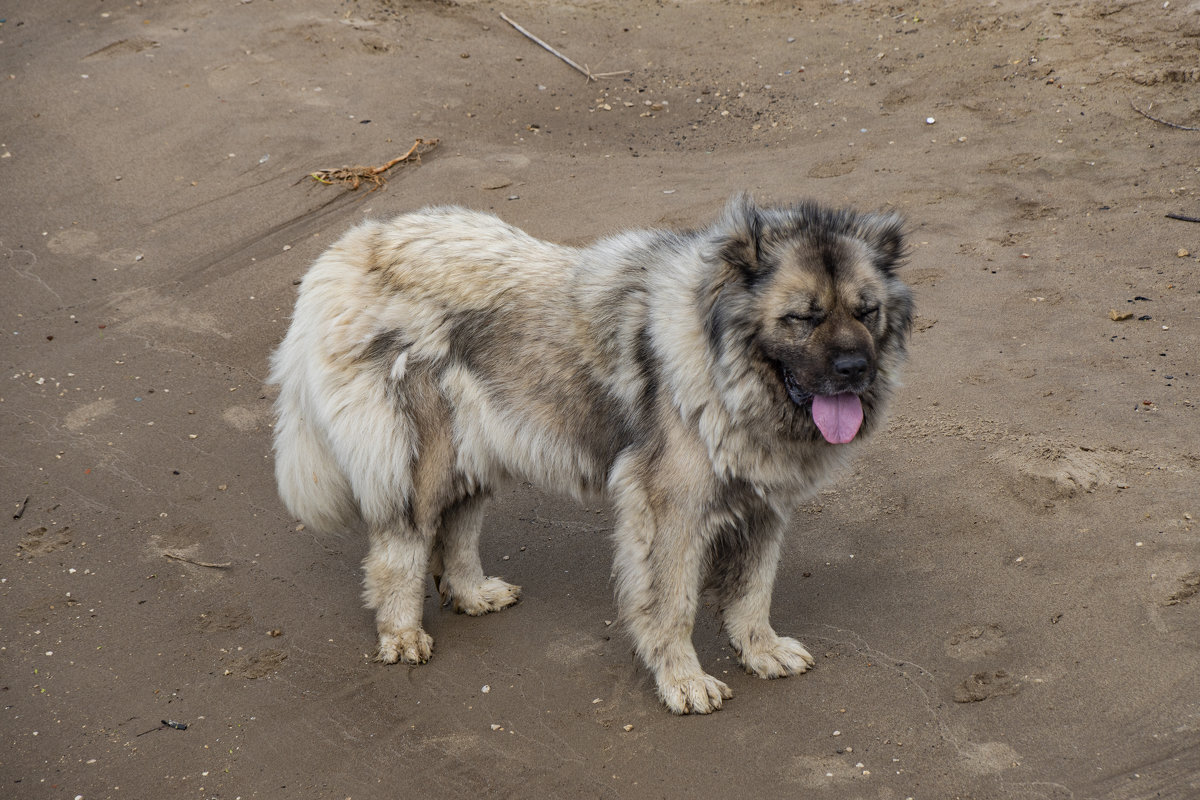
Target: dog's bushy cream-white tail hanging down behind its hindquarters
{"points": [[310, 480]]}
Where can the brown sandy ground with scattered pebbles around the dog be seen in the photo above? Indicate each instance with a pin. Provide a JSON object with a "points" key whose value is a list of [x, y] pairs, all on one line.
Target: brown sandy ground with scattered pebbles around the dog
{"points": [[1000, 594]]}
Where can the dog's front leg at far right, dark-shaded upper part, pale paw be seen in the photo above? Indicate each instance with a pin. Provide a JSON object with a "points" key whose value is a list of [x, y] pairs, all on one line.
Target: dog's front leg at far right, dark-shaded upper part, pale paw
{"points": [[745, 574]]}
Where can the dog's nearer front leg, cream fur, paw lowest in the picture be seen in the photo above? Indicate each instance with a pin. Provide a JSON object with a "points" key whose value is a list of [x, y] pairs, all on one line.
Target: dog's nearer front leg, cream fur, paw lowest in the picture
{"points": [[659, 567]]}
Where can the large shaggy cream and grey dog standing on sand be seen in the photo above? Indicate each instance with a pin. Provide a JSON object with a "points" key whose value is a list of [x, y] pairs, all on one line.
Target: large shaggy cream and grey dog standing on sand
{"points": [[677, 374]]}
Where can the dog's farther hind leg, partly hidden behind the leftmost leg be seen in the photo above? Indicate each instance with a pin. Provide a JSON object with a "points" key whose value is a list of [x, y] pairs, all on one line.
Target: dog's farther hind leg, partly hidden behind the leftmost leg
{"points": [[461, 575]]}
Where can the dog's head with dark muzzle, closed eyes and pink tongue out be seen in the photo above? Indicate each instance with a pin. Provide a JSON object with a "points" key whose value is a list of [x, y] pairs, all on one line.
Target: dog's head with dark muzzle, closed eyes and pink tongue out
{"points": [[821, 305]]}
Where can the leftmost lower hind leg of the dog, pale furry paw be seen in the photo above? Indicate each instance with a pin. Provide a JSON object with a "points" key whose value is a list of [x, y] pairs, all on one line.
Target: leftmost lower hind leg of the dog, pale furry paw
{"points": [[395, 588]]}
